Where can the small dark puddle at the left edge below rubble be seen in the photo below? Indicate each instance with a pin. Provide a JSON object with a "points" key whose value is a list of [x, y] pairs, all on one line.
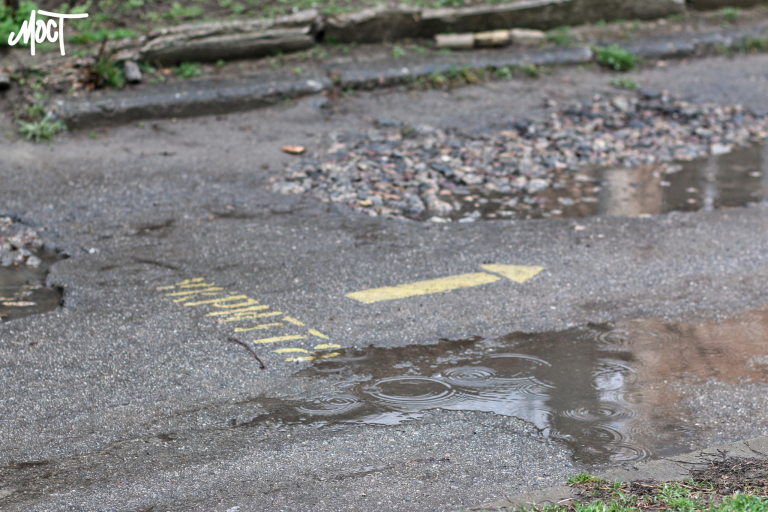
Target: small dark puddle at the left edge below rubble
{"points": [[23, 291]]}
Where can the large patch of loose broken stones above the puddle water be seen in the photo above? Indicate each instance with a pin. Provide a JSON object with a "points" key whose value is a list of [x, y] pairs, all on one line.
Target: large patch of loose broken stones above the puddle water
{"points": [[394, 170]]}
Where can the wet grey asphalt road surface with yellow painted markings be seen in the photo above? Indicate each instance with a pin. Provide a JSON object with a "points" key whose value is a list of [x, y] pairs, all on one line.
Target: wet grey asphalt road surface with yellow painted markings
{"points": [[130, 397]]}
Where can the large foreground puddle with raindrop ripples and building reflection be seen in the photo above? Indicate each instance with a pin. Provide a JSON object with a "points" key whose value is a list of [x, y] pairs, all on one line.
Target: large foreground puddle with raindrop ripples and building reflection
{"points": [[609, 392]]}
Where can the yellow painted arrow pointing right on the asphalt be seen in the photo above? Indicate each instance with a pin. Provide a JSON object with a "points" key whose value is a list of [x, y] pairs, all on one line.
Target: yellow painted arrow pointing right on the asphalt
{"points": [[517, 273]]}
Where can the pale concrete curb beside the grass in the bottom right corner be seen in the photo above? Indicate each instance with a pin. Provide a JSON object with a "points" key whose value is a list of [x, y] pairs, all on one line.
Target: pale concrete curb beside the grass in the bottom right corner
{"points": [[666, 470]]}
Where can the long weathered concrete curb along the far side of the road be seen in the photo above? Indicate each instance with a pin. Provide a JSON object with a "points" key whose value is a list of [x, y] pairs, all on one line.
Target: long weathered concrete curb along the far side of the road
{"points": [[205, 97]]}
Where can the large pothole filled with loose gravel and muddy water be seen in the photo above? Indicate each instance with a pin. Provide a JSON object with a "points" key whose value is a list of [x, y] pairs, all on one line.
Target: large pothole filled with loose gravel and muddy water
{"points": [[615, 156]]}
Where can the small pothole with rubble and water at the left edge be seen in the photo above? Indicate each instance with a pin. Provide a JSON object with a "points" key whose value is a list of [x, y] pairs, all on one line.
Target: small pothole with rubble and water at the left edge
{"points": [[23, 270]]}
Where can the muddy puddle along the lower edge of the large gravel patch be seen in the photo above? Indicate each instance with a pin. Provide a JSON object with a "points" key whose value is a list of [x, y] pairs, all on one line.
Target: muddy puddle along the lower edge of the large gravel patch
{"points": [[739, 178]]}
